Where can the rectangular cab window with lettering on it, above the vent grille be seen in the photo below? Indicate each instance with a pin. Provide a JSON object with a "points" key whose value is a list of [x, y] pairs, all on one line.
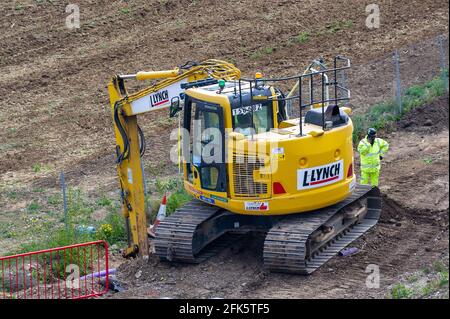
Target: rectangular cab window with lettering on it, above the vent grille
{"points": [[246, 123]]}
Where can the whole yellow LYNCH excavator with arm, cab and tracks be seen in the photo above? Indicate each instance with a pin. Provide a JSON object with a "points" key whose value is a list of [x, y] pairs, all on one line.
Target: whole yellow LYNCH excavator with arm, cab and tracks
{"points": [[254, 159]]}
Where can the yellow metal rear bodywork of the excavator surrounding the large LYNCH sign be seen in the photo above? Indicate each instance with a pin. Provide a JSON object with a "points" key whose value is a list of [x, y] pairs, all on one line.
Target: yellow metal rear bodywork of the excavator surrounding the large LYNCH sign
{"points": [[299, 153]]}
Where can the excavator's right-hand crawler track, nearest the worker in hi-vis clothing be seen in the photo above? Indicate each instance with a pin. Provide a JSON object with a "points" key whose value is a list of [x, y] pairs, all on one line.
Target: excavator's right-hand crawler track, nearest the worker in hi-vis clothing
{"points": [[287, 247]]}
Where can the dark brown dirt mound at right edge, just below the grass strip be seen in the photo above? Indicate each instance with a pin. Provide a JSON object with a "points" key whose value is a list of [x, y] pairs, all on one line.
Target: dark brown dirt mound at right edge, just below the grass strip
{"points": [[428, 118]]}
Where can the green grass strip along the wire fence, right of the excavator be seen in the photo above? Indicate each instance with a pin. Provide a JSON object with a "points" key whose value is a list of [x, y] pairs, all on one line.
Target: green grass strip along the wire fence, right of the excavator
{"points": [[382, 114]]}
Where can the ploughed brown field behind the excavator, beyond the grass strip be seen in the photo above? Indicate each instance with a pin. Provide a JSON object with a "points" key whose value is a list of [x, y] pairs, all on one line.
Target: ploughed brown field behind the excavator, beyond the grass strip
{"points": [[53, 90]]}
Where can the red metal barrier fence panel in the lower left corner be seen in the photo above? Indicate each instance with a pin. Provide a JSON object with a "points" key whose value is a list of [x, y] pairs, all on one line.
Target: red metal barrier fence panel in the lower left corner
{"points": [[70, 272]]}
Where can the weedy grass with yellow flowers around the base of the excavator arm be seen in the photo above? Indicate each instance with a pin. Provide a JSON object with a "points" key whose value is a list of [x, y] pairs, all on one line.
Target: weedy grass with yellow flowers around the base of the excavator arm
{"points": [[45, 224]]}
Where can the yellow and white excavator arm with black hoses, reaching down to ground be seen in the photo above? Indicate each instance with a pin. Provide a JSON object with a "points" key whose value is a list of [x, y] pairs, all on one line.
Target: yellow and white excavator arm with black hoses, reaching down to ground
{"points": [[166, 91]]}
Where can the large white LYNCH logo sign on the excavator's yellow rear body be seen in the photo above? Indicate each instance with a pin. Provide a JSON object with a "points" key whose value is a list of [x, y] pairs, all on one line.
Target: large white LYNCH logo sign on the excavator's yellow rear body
{"points": [[320, 175]]}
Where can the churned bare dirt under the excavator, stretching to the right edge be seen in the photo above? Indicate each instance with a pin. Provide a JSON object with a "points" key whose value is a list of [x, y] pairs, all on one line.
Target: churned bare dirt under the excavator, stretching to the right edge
{"points": [[411, 234]]}
